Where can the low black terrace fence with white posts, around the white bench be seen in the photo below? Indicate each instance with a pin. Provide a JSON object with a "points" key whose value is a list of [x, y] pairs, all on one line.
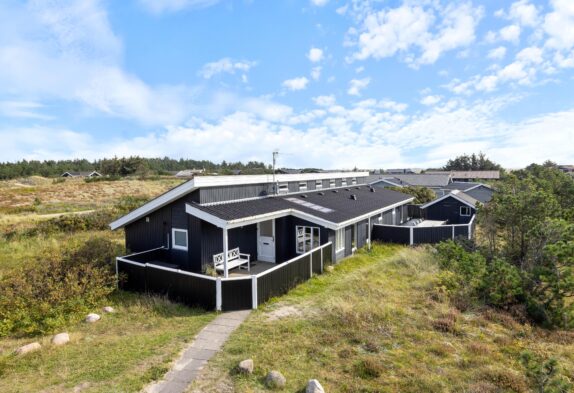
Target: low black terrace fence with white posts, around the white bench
{"points": [[135, 273]]}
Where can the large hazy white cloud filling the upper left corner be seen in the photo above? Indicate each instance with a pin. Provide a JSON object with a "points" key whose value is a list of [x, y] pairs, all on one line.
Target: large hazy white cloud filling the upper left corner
{"points": [[67, 51]]}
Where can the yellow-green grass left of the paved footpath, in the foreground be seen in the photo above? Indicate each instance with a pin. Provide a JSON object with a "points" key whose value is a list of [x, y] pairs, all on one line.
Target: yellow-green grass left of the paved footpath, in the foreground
{"points": [[120, 353]]}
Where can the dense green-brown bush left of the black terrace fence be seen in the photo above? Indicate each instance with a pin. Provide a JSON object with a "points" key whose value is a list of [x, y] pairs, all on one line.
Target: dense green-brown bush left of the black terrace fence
{"points": [[56, 290]]}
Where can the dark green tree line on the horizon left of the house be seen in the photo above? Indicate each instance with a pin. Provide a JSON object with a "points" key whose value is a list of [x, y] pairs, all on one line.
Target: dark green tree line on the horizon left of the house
{"points": [[125, 166]]}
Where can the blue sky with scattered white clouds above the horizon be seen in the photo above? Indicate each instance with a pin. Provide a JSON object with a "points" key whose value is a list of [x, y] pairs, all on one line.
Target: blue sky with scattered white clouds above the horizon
{"points": [[329, 83]]}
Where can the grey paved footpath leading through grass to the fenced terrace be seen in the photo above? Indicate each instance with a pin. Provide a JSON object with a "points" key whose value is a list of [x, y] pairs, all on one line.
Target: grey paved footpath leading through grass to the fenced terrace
{"points": [[206, 344]]}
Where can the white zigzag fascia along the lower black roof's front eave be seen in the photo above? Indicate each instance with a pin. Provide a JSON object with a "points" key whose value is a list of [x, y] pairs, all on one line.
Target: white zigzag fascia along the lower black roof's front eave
{"points": [[224, 224]]}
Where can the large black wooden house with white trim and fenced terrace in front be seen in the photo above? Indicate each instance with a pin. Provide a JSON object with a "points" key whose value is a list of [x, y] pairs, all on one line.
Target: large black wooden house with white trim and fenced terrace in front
{"points": [[232, 242]]}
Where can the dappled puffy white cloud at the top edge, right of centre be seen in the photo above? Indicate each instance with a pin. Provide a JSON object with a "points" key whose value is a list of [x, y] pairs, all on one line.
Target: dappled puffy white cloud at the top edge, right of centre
{"points": [[420, 34]]}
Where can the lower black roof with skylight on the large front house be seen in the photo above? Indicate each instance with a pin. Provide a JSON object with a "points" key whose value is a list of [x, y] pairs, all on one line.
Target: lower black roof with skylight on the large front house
{"points": [[338, 200]]}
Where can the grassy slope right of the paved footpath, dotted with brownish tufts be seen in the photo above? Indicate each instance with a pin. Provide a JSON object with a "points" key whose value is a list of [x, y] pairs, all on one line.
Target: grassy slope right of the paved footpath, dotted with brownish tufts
{"points": [[377, 324]]}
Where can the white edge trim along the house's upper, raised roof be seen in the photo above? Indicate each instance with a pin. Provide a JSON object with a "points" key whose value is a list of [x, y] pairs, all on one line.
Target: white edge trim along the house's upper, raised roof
{"points": [[213, 181]]}
